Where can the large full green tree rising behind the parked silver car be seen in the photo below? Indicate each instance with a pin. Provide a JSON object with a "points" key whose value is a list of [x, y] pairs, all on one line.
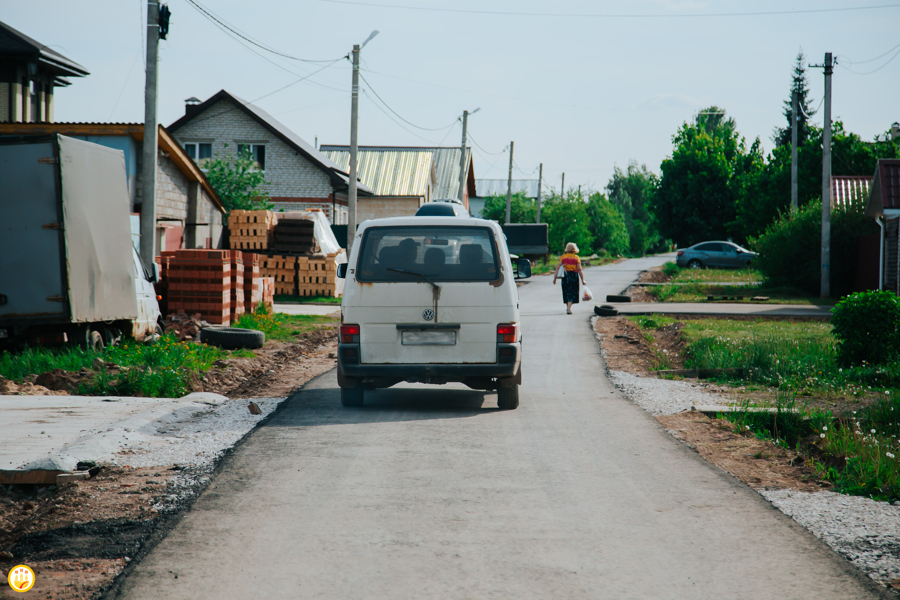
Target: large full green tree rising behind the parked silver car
{"points": [[697, 191]]}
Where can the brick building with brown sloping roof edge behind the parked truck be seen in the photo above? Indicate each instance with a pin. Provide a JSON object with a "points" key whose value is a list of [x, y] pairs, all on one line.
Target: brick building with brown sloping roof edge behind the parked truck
{"points": [[189, 214]]}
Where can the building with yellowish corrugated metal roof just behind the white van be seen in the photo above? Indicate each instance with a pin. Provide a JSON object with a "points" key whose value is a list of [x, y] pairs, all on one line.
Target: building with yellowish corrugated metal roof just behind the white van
{"points": [[405, 177]]}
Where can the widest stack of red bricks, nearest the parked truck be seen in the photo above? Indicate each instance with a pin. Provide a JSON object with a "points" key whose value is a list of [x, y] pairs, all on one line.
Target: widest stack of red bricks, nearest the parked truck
{"points": [[200, 282]]}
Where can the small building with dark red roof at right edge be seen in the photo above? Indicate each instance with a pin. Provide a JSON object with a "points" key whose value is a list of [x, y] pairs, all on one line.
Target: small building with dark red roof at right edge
{"points": [[884, 206]]}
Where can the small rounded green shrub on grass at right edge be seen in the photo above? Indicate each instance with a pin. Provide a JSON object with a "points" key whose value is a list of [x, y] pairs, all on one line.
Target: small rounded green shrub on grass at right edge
{"points": [[867, 328]]}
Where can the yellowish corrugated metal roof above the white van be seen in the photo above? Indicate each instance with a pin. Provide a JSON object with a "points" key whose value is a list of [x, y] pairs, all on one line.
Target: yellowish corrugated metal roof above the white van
{"points": [[389, 172]]}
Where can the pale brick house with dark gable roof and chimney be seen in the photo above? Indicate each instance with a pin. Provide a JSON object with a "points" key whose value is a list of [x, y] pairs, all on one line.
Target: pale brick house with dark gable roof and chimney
{"points": [[298, 176]]}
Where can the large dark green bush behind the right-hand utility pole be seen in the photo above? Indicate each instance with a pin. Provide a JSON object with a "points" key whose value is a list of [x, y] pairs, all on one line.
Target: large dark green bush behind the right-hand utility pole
{"points": [[790, 249]]}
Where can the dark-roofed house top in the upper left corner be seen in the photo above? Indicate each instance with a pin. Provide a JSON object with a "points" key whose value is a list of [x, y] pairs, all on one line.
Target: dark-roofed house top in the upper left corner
{"points": [[29, 72]]}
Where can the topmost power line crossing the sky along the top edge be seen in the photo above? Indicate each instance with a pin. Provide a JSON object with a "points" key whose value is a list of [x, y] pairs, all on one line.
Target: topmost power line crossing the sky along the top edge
{"points": [[610, 15]]}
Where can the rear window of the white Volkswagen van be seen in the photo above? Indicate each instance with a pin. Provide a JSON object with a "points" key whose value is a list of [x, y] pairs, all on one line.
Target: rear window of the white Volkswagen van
{"points": [[400, 254]]}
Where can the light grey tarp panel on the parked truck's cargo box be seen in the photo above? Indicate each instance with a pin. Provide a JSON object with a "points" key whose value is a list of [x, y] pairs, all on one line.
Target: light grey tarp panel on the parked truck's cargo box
{"points": [[97, 232]]}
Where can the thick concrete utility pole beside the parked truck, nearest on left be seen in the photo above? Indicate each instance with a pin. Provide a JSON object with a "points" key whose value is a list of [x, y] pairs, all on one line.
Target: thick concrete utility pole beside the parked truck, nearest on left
{"points": [[150, 150]]}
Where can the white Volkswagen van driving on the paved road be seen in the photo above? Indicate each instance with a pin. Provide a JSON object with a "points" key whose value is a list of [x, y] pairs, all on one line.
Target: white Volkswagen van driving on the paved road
{"points": [[430, 300]]}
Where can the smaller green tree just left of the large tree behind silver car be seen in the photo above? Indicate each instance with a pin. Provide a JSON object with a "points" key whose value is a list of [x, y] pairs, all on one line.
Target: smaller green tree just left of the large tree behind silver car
{"points": [[631, 191]]}
